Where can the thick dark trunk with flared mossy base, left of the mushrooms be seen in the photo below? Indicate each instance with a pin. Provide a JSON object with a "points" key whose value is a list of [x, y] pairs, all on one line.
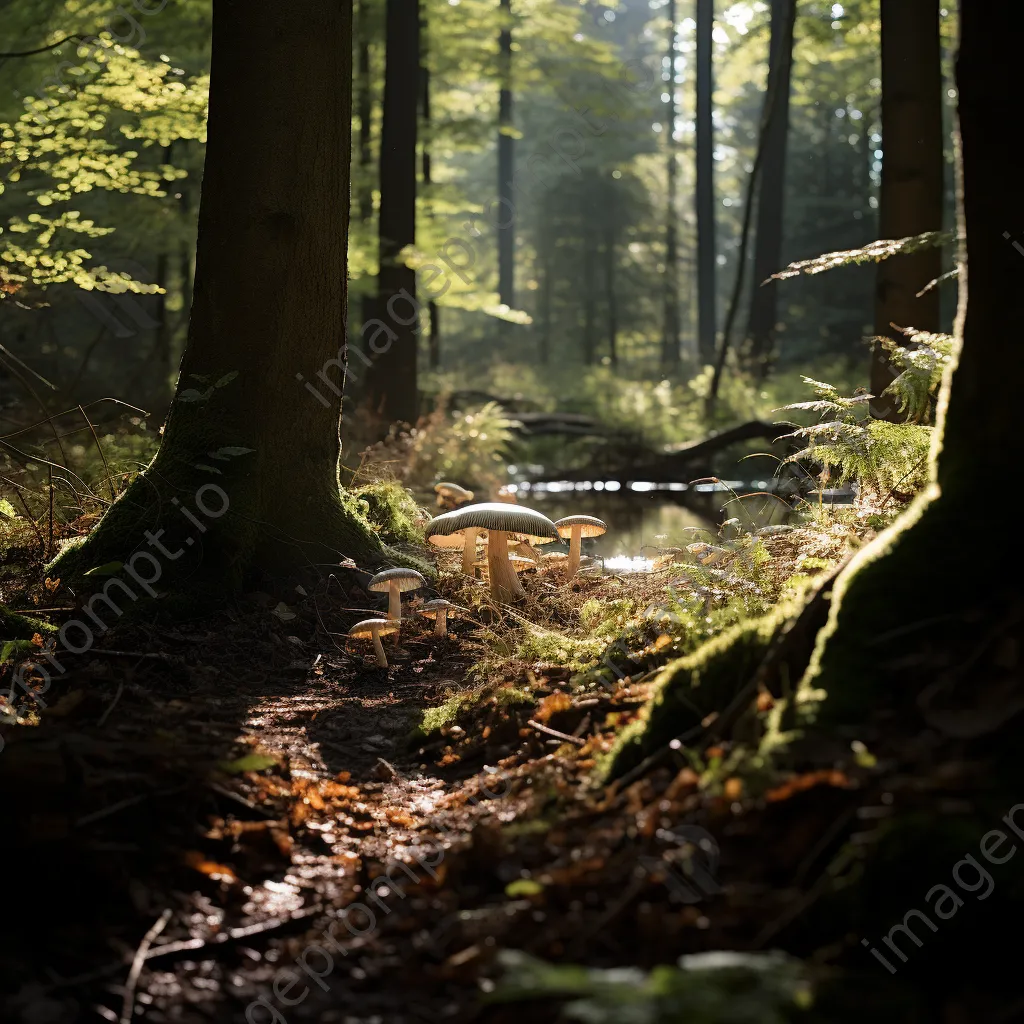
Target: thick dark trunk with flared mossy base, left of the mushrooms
{"points": [[248, 467]]}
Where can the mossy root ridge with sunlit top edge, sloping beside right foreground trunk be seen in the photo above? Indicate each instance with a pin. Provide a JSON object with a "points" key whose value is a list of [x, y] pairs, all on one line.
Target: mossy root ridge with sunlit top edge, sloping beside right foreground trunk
{"points": [[690, 689]]}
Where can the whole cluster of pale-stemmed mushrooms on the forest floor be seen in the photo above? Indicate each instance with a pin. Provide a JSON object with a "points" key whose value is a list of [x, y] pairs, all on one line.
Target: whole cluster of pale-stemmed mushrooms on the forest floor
{"points": [[508, 534]]}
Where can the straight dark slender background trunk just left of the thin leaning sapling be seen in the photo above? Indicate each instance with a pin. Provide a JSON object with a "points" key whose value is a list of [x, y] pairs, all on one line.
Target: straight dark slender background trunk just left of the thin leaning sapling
{"points": [[707, 267]]}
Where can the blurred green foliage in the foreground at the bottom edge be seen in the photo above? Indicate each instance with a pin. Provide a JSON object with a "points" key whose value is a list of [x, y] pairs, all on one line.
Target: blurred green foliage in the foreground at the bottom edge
{"points": [[705, 989]]}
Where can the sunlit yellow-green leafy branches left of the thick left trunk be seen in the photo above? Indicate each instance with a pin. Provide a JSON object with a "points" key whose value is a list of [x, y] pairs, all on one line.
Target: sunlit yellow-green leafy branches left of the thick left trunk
{"points": [[88, 131]]}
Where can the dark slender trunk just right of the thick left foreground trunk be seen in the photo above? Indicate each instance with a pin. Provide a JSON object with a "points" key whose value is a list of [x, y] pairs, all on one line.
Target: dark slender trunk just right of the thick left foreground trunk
{"points": [[393, 381]]}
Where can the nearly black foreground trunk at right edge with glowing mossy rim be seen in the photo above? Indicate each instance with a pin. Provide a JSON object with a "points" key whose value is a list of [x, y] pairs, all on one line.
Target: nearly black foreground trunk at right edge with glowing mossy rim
{"points": [[943, 575]]}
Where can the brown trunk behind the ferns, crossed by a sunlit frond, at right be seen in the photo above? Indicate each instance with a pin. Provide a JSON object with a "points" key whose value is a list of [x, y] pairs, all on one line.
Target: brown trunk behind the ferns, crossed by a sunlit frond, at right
{"points": [[911, 200]]}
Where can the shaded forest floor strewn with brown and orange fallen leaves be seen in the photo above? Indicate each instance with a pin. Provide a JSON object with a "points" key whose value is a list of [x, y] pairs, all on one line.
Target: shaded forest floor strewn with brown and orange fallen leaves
{"points": [[210, 823]]}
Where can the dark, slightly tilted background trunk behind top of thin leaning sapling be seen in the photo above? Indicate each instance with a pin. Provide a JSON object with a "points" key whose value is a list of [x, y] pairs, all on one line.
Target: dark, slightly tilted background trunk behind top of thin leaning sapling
{"points": [[772, 193]]}
